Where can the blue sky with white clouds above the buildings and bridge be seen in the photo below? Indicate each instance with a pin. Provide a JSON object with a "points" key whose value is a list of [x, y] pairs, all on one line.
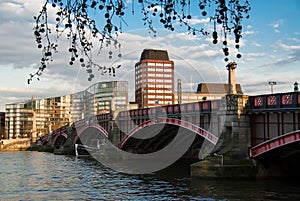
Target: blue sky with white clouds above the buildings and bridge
{"points": [[270, 50]]}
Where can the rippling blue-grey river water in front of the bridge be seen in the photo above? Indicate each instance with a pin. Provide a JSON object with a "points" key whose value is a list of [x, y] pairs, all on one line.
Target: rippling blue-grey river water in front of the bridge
{"points": [[45, 176]]}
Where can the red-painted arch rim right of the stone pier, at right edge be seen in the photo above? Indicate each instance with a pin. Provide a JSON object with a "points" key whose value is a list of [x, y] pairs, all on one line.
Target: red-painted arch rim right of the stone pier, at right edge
{"points": [[274, 143]]}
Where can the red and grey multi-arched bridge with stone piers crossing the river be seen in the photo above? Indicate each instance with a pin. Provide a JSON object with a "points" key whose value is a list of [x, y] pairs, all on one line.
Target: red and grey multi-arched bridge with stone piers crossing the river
{"points": [[236, 136]]}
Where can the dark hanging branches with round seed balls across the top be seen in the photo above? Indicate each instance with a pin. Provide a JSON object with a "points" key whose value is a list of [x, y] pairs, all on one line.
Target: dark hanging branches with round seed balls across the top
{"points": [[76, 20]]}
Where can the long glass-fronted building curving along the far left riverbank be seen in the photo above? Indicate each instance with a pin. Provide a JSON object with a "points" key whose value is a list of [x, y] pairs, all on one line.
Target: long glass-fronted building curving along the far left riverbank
{"points": [[36, 117]]}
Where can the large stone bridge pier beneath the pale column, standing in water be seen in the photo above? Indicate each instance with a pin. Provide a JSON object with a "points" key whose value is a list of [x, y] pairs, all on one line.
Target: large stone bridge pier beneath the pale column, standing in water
{"points": [[230, 157]]}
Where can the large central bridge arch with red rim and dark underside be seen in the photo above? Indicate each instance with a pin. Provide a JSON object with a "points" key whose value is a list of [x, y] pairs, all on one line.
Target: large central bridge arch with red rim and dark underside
{"points": [[152, 136]]}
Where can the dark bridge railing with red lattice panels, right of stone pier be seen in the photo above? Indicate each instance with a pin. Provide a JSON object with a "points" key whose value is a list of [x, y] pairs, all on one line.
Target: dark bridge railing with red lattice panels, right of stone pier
{"points": [[289, 100]]}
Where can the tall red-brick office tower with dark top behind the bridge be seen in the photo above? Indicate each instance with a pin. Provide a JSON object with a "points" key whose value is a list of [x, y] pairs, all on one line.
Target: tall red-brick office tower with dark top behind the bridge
{"points": [[154, 79]]}
